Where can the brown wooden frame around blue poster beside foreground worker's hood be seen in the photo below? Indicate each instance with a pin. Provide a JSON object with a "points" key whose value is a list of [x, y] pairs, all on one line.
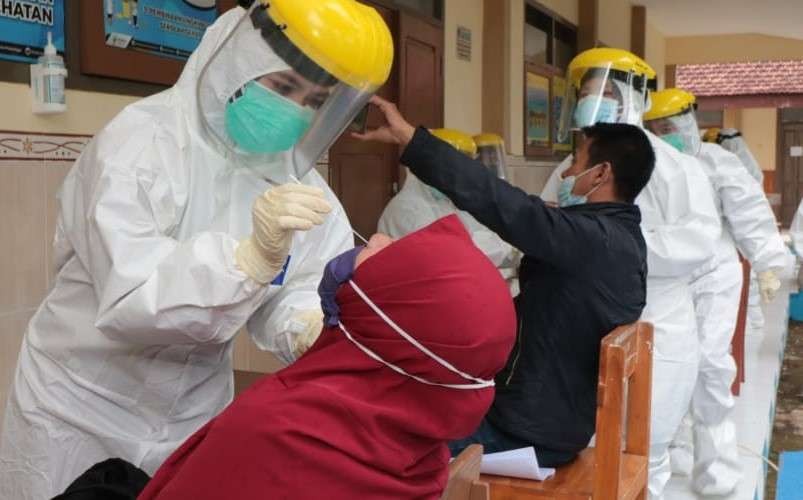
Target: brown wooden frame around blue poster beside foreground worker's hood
{"points": [[100, 59]]}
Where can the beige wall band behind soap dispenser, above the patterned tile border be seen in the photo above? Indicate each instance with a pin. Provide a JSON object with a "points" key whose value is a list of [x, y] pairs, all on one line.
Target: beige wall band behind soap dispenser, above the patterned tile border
{"points": [[86, 113]]}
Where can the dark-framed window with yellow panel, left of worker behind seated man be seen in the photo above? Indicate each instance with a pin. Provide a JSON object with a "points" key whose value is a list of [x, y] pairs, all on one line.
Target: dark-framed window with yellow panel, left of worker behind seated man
{"points": [[550, 43]]}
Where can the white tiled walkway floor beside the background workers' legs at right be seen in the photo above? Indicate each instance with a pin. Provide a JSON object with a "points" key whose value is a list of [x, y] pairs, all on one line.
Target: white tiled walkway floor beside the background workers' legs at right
{"points": [[755, 408]]}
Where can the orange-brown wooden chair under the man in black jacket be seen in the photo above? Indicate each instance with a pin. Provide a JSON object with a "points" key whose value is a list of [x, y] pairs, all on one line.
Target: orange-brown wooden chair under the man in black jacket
{"points": [[605, 472]]}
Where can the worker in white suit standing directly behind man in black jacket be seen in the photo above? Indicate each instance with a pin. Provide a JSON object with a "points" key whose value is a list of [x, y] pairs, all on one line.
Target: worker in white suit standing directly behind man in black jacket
{"points": [[680, 224]]}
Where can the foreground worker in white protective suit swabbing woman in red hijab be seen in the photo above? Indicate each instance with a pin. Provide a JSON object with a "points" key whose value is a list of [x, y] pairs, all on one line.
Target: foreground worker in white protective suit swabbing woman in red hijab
{"points": [[180, 223]]}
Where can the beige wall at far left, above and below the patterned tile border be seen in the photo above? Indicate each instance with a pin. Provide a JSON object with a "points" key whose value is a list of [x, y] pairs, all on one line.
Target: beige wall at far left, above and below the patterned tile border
{"points": [[28, 209]]}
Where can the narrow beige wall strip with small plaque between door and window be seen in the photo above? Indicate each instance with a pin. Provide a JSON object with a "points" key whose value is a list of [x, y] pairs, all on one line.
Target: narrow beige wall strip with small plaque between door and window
{"points": [[463, 79]]}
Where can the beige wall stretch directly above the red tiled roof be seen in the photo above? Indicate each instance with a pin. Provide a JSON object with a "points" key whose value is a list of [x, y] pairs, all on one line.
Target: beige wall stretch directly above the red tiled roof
{"points": [[731, 48]]}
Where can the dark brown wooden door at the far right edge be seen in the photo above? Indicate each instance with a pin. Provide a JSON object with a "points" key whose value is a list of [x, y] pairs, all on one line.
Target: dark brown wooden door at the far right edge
{"points": [[789, 176]]}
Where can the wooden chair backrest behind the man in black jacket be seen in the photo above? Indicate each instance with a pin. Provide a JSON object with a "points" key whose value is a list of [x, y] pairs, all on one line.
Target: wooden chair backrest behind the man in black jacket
{"points": [[625, 372]]}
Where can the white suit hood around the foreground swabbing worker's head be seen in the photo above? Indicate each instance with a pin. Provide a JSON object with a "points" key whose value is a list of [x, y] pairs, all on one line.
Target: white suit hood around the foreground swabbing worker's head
{"points": [[231, 54]]}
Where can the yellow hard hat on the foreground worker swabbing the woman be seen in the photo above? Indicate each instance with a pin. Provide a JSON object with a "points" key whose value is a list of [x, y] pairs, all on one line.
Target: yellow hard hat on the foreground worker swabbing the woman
{"points": [[344, 37]]}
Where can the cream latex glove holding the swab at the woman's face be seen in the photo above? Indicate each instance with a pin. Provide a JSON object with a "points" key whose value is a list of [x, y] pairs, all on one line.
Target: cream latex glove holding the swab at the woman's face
{"points": [[276, 215]]}
